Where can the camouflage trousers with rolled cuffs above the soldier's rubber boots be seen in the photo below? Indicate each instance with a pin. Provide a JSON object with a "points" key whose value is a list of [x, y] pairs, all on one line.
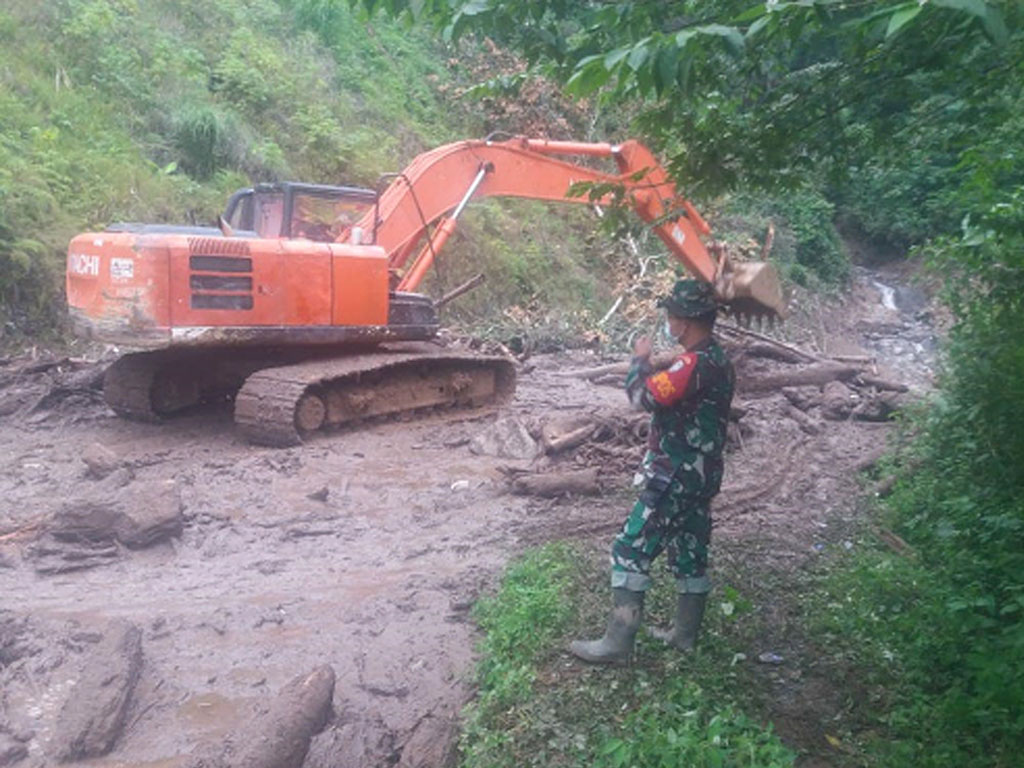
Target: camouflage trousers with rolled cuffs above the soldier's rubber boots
{"points": [[678, 525]]}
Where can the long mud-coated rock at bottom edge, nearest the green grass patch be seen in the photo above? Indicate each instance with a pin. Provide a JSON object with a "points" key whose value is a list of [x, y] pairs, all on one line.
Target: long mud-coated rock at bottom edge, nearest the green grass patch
{"points": [[280, 737]]}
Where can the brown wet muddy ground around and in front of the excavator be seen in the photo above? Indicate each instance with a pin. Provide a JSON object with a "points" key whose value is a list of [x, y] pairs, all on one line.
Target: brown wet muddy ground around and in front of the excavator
{"points": [[243, 568]]}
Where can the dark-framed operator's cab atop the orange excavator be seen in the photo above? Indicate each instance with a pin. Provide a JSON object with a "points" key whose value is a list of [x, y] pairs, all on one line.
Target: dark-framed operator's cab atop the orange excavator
{"points": [[318, 212]]}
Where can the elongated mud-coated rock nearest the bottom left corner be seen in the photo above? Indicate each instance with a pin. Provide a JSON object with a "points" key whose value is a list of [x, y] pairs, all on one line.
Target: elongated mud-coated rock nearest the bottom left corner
{"points": [[94, 716]]}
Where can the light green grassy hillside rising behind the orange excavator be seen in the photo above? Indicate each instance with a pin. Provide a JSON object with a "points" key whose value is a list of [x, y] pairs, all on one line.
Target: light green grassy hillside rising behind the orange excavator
{"points": [[117, 110]]}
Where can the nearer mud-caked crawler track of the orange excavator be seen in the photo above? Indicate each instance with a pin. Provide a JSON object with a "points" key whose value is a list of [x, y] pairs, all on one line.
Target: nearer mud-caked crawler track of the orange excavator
{"points": [[280, 406]]}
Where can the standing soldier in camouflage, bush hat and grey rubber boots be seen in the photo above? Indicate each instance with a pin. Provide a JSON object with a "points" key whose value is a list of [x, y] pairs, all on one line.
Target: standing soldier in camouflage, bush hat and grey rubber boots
{"points": [[681, 473]]}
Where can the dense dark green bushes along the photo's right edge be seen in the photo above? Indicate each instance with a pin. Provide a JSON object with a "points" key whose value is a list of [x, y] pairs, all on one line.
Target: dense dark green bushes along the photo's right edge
{"points": [[942, 633]]}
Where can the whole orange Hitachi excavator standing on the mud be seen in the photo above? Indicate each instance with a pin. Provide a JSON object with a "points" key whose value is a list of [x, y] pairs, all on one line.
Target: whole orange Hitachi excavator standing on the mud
{"points": [[303, 305]]}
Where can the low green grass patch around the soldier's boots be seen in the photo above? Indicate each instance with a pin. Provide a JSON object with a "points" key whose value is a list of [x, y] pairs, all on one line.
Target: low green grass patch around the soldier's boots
{"points": [[537, 709]]}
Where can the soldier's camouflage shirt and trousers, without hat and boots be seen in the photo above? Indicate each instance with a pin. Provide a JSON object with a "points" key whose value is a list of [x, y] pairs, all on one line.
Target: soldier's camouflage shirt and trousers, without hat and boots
{"points": [[681, 471]]}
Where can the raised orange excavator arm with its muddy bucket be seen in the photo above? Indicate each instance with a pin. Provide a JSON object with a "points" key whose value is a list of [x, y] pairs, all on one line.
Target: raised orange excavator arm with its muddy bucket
{"points": [[438, 185]]}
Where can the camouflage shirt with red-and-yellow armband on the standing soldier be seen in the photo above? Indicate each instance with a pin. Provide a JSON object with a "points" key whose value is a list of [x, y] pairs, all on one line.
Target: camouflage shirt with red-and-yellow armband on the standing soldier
{"points": [[690, 408]]}
